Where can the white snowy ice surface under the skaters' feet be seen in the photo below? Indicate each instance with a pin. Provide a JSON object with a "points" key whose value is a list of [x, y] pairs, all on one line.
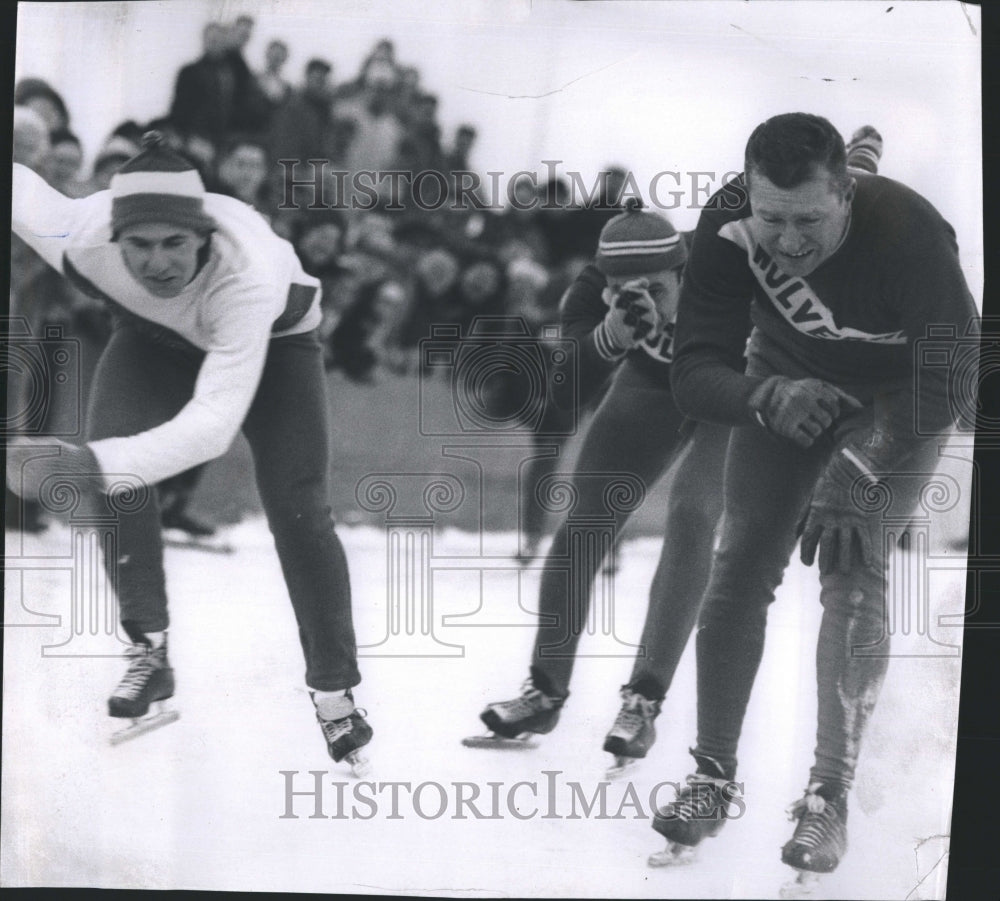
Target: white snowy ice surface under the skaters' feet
{"points": [[199, 804]]}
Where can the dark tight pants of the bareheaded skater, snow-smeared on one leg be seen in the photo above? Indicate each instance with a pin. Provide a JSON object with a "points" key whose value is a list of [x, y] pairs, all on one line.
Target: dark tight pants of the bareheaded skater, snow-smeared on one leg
{"points": [[768, 485]]}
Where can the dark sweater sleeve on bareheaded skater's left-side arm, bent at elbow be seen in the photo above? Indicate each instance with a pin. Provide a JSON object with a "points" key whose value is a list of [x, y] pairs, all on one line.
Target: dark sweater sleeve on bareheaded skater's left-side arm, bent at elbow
{"points": [[713, 324]]}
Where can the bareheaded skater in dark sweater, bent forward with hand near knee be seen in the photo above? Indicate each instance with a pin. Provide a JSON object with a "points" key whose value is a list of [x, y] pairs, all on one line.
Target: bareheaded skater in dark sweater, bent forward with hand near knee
{"points": [[834, 275]]}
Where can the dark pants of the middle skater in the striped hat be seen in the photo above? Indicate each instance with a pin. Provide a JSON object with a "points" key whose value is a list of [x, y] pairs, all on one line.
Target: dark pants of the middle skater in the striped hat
{"points": [[636, 430]]}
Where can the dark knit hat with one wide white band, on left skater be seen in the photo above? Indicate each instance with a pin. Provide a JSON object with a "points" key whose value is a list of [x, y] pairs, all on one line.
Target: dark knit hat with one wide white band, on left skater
{"points": [[158, 185]]}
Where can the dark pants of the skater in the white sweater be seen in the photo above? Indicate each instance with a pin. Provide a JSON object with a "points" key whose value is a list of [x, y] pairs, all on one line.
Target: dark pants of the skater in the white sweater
{"points": [[140, 384]]}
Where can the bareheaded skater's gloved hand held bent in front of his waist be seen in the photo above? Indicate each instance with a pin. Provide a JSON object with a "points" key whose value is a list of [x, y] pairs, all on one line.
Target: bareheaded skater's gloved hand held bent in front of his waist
{"points": [[799, 409]]}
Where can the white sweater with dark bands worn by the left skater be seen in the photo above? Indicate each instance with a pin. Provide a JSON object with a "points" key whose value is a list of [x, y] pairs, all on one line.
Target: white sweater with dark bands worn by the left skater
{"points": [[228, 310]]}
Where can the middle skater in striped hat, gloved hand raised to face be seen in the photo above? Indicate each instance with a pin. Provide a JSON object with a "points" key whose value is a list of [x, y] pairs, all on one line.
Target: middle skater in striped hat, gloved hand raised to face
{"points": [[620, 313]]}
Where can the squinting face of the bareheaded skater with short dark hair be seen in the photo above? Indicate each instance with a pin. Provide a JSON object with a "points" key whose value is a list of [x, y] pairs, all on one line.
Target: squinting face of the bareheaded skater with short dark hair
{"points": [[800, 227]]}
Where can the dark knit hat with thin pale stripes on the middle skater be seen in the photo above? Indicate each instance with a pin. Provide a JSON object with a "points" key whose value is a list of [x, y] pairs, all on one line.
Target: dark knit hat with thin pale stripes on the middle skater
{"points": [[638, 241]]}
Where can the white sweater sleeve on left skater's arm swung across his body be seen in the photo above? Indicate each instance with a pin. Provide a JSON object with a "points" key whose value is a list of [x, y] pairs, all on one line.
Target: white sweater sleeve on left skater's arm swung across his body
{"points": [[205, 427]]}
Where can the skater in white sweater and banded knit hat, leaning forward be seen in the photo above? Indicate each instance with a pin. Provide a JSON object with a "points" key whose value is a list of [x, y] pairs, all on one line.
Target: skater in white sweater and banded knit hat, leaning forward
{"points": [[215, 331]]}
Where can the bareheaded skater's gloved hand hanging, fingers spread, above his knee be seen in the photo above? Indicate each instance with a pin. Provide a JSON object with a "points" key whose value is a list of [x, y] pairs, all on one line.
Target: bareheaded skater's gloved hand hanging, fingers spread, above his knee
{"points": [[834, 522]]}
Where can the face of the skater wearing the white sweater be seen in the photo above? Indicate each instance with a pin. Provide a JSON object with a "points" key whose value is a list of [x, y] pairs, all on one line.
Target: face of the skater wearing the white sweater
{"points": [[163, 258]]}
